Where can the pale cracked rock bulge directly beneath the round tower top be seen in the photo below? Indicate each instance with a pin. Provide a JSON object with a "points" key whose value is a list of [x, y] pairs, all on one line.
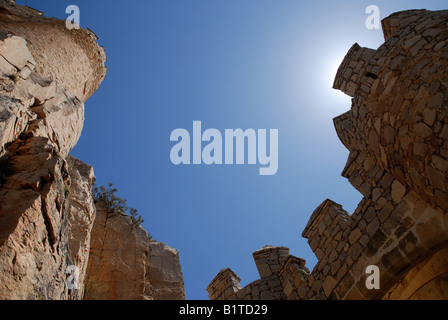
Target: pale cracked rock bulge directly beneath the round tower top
{"points": [[39, 105]]}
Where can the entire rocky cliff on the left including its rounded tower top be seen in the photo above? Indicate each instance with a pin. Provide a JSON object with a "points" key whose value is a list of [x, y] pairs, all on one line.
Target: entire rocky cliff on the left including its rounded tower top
{"points": [[49, 222]]}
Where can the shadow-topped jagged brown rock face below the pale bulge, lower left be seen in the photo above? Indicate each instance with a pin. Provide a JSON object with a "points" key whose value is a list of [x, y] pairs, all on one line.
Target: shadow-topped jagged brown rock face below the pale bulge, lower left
{"points": [[34, 230]]}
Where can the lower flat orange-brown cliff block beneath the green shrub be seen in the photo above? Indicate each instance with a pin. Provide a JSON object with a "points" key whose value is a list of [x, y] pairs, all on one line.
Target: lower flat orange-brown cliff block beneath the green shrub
{"points": [[125, 264]]}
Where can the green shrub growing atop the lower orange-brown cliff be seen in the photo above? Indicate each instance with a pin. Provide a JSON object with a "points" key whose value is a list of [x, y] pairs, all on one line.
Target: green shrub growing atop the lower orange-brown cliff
{"points": [[115, 204]]}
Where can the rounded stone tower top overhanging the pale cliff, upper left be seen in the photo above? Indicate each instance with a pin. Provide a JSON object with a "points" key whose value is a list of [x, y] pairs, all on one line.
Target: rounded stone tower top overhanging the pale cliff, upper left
{"points": [[71, 56]]}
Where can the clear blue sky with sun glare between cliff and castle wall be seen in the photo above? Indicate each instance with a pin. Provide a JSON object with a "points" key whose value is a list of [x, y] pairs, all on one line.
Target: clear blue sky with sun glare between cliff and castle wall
{"points": [[231, 64]]}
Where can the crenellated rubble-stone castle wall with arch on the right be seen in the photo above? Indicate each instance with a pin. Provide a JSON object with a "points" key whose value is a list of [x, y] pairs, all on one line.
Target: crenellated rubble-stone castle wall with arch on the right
{"points": [[397, 135]]}
